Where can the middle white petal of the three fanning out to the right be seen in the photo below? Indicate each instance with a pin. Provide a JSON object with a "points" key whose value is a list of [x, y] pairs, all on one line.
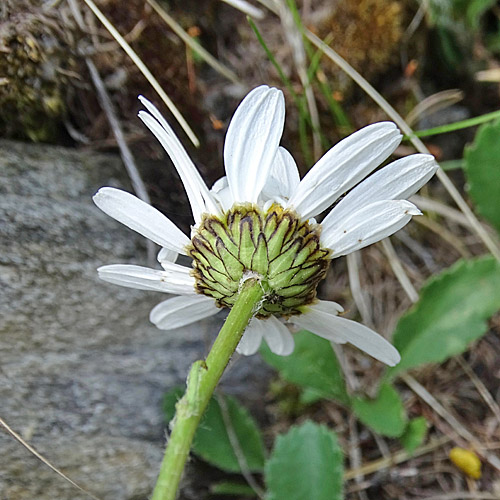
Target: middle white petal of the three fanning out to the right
{"points": [[397, 181]]}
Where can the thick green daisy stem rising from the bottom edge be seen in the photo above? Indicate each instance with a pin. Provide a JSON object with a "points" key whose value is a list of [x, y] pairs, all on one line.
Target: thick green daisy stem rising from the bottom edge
{"points": [[202, 380]]}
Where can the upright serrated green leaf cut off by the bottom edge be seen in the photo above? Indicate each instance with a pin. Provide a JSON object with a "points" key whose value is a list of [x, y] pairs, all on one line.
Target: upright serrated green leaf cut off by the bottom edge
{"points": [[306, 463]]}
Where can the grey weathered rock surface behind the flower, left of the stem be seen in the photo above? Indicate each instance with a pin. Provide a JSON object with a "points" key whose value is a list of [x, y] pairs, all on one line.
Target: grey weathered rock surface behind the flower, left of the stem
{"points": [[83, 372]]}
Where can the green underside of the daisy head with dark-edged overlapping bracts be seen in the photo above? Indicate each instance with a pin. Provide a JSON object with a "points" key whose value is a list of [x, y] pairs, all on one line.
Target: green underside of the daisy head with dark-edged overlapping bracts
{"points": [[275, 245]]}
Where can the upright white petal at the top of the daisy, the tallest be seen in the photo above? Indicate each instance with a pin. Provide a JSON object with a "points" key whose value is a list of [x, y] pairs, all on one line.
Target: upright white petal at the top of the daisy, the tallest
{"points": [[252, 140]]}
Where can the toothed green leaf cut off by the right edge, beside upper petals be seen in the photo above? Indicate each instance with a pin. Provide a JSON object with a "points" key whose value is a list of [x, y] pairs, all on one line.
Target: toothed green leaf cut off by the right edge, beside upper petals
{"points": [[482, 168]]}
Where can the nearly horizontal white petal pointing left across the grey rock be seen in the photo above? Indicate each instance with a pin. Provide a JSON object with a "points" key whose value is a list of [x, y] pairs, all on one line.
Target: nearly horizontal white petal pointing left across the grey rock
{"points": [[174, 281]]}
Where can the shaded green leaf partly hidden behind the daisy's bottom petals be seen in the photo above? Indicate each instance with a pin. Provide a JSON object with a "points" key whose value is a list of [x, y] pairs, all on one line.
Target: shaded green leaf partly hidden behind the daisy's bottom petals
{"points": [[312, 365]]}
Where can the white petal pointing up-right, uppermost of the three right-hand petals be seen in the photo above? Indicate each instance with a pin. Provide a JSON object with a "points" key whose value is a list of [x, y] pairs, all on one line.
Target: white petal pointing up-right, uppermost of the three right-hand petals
{"points": [[349, 161]]}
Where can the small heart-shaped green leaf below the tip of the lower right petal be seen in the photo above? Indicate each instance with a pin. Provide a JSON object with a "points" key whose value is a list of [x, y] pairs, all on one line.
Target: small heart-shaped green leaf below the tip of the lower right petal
{"points": [[385, 414]]}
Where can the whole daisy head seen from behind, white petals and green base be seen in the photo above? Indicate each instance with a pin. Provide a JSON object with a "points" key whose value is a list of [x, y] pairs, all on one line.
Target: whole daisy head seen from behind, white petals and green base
{"points": [[258, 222]]}
